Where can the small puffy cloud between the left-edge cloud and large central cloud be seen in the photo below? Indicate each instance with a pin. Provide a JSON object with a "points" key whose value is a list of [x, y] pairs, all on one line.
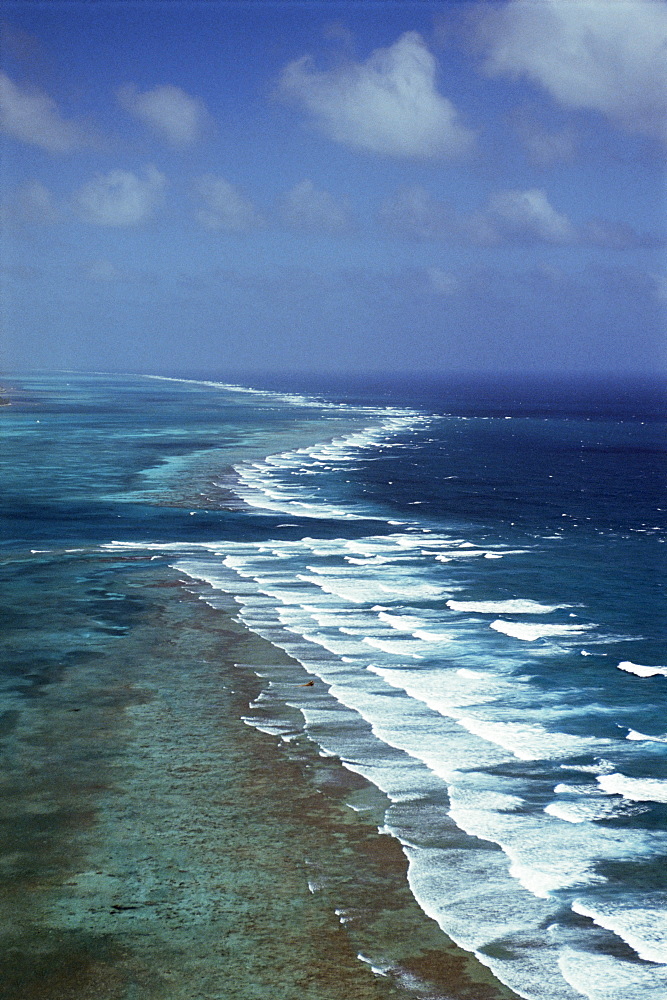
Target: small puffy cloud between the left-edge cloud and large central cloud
{"points": [[168, 111]]}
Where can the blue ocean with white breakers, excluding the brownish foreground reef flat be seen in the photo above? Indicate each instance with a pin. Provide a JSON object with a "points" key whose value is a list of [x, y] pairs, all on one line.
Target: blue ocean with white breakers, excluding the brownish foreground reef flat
{"points": [[470, 570]]}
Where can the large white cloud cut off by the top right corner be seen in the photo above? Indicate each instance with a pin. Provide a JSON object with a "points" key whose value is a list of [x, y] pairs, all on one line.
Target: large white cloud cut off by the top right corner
{"points": [[600, 55]]}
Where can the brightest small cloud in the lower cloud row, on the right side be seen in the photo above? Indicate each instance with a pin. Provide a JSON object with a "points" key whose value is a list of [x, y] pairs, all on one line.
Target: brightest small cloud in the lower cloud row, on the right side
{"points": [[528, 216]]}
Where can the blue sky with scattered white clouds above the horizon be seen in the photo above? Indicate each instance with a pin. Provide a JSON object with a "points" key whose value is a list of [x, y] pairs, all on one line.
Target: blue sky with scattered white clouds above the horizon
{"points": [[368, 186]]}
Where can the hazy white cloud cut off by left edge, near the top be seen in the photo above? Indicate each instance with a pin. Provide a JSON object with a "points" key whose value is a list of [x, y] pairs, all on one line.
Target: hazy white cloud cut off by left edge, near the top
{"points": [[34, 118]]}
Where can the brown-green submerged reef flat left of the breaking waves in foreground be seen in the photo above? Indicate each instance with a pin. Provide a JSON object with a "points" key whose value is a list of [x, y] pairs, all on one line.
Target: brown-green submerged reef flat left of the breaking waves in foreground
{"points": [[154, 847]]}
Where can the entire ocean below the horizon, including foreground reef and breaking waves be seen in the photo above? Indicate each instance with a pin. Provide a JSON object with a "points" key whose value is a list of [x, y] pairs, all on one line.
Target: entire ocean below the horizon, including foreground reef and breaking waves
{"points": [[443, 598]]}
